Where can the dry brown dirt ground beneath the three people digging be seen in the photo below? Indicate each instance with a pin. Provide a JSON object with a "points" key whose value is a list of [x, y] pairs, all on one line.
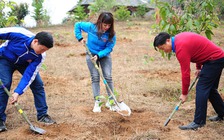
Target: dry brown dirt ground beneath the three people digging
{"points": [[147, 83]]}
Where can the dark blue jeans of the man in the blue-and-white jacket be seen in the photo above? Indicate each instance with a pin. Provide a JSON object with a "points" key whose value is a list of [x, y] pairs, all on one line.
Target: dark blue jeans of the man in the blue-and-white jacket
{"points": [[6, 72]]}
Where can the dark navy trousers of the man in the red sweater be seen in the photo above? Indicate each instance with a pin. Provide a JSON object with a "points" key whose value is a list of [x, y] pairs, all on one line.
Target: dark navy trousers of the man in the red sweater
{"points": [[207, 89]]}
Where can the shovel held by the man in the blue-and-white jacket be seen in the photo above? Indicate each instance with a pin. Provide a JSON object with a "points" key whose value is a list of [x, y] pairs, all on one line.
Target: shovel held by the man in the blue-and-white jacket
{"points": [[32, 127]]}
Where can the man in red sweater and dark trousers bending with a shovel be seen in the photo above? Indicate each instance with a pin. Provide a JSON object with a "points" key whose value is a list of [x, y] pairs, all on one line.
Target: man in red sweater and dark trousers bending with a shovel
{"points": [[209, 59]]}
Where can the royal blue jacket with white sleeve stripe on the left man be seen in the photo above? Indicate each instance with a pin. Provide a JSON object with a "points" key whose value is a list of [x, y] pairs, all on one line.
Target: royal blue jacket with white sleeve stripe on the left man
{"points": [[17, 49]]}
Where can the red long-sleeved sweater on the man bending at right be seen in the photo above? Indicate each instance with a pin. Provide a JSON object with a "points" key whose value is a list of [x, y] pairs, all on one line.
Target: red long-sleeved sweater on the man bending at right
{"points": [[192, 47]]}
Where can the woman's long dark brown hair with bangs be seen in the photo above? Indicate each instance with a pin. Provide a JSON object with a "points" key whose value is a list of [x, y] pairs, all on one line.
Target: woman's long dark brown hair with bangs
{"points": [[107, 18]]}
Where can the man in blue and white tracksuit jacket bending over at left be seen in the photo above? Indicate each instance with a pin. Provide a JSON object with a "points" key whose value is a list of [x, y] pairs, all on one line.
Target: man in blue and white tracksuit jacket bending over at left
{"points": [[25, 52]]}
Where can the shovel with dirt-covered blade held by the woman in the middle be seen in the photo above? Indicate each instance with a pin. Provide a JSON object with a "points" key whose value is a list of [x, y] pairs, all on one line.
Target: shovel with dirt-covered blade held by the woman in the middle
{"points": [[123, 109]]}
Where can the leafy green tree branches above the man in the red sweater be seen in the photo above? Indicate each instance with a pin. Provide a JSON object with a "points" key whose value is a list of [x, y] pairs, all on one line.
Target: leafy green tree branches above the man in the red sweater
{"points": [[192, 15]]}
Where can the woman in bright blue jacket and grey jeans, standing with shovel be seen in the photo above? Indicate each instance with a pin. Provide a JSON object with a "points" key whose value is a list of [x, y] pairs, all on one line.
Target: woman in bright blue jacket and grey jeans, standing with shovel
{"points": [[100, 41]]}
